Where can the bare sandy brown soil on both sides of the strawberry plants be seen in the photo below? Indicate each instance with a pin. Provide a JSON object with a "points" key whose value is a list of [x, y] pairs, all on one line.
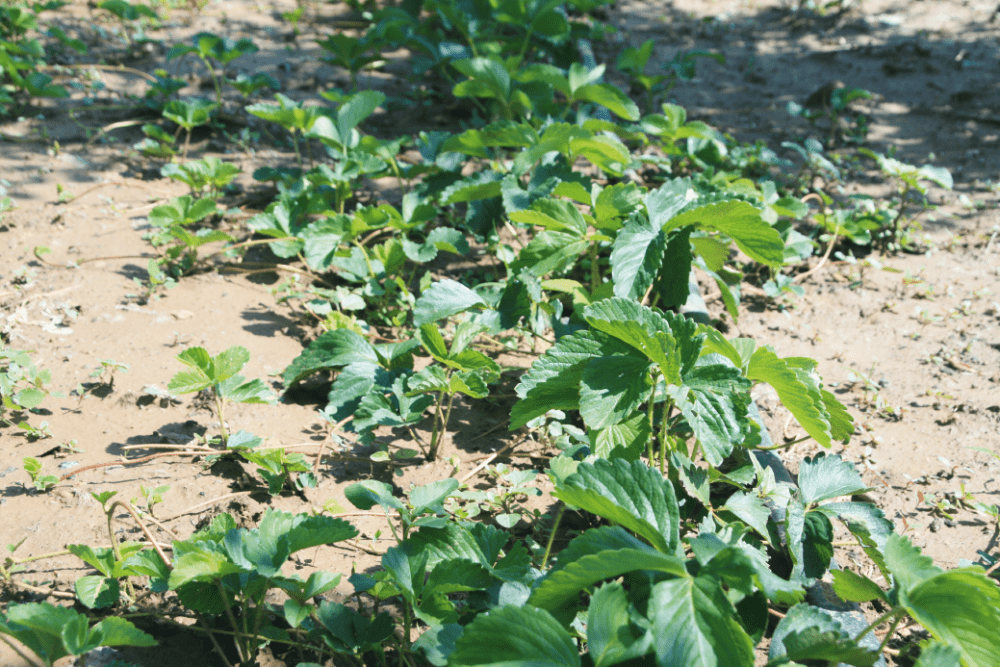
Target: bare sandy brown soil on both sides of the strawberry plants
{"points": [[912, 341]]}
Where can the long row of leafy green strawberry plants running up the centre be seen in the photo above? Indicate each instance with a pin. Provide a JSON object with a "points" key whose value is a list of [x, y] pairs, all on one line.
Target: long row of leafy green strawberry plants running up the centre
{"points": [[593, 220]]}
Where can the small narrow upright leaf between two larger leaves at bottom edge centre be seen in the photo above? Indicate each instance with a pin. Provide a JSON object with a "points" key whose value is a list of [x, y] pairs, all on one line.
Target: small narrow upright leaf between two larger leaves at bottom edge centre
{"points": [[611, 637]]}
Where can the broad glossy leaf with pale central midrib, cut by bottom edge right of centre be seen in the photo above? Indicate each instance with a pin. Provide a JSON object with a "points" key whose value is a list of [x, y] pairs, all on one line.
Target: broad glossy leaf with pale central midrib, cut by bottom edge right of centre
{"points": [[694, 624]]}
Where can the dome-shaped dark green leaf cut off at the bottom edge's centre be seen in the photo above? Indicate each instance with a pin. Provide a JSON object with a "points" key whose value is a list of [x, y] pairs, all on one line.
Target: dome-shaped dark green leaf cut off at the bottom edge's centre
{"points": [[510, 635]]}
